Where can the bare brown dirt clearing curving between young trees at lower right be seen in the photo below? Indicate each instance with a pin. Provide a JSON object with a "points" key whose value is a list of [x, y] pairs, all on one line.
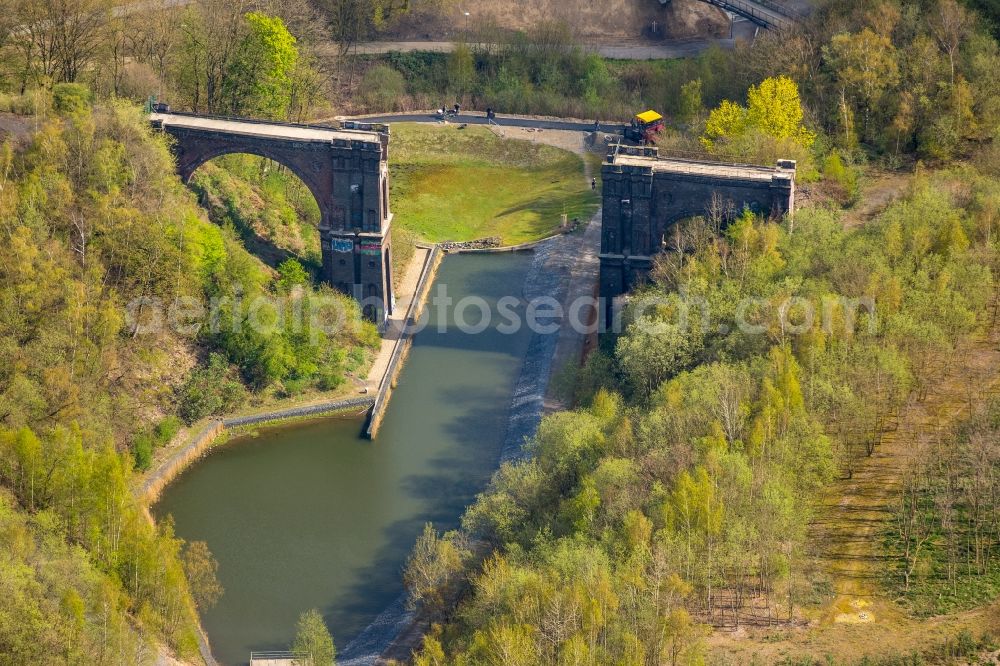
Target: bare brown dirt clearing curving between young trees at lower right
{"points": [[846, 538]]}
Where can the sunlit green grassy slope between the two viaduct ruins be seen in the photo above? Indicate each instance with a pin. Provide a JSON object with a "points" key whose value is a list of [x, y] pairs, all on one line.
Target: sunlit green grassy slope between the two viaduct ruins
{"points": [[451, 184]]}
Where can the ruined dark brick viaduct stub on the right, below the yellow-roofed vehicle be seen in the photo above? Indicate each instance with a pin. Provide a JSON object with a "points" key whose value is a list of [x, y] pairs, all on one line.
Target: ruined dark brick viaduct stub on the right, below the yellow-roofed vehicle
{"points": [[644, 195]]}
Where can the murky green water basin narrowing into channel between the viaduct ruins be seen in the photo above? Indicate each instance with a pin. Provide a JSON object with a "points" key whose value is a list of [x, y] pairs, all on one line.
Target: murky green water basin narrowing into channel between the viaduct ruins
{"points": [[311, 515]]}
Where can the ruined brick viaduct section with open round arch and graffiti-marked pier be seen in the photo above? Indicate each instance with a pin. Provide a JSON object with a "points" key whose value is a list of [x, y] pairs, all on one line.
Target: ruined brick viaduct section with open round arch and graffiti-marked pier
{"points": [[346, 170]]}
